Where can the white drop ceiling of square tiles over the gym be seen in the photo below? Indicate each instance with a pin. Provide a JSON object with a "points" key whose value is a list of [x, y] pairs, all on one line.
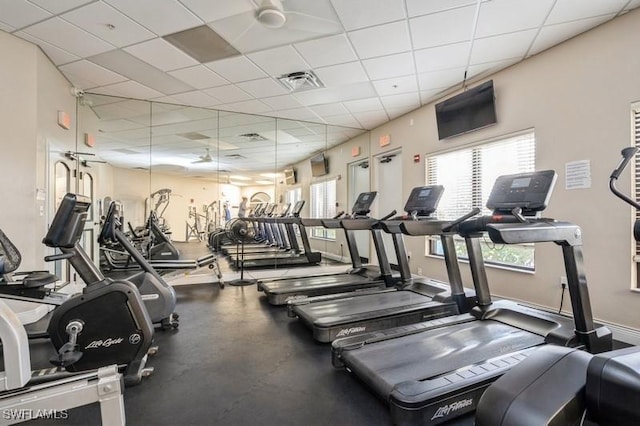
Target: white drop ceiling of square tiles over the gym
{"points": [[377, 59]]}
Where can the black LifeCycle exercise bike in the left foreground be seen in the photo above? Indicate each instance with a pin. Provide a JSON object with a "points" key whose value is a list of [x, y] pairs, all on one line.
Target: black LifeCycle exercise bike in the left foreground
{"points": [[105, 324]]}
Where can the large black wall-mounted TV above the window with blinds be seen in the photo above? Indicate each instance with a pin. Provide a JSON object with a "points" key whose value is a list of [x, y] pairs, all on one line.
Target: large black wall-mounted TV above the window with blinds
{"points": [[467, 111]]}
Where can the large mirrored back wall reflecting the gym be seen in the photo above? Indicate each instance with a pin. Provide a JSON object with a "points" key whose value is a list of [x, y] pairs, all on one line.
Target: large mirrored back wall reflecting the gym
{"points": [[193, 166]]}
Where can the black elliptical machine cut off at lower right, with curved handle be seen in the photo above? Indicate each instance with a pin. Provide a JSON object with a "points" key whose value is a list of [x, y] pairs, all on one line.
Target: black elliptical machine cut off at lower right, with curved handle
{"points": [[568, 386]]}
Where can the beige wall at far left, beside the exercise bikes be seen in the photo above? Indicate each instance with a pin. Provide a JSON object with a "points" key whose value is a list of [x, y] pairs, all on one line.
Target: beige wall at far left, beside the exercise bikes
{"points": [[32, 92]]}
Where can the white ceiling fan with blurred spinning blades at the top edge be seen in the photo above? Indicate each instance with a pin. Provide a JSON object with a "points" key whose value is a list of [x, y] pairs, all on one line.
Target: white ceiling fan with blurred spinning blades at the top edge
{"points": [[277, 22]]}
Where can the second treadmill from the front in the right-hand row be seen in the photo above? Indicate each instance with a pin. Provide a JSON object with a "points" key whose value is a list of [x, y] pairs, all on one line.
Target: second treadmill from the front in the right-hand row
{"points": [[417, 299]]}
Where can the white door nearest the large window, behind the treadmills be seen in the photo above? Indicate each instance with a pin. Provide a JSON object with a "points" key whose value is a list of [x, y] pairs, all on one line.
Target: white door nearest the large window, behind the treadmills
{"points": [[387, 172]]}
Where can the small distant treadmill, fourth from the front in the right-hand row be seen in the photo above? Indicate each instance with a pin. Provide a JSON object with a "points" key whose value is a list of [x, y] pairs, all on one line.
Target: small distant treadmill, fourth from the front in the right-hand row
{"points": [[295, 257]]}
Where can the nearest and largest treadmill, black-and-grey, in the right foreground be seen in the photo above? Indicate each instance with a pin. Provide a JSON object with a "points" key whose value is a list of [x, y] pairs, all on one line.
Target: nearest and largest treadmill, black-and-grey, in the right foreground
{"points": [[435, 371]]}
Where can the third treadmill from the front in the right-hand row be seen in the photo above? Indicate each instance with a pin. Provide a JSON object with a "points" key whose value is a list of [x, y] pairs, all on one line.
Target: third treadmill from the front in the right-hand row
{"points": [[358, 278]]}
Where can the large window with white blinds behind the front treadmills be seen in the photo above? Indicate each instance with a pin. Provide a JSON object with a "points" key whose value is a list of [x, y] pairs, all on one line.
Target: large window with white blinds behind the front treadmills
{"points": [[468, 176]]}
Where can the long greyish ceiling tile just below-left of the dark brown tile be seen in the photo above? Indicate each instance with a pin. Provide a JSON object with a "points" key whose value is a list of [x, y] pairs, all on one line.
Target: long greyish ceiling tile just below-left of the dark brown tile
{"points": [[123, 63]]}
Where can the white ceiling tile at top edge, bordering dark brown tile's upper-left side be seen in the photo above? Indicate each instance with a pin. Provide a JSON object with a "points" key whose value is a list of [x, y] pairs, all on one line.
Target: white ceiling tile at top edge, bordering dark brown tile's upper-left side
{"points": [[160, 16]]}
